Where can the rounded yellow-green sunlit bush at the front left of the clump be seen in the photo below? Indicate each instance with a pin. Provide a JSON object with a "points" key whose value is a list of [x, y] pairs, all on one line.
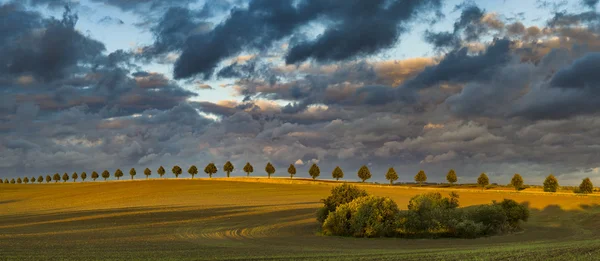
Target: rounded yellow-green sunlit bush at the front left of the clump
{"points": [[369, 216]]}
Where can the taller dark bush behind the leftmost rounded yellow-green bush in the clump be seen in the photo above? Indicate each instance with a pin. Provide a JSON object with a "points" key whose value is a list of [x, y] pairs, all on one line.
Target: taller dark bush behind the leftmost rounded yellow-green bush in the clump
{"points": [[339, 195]]}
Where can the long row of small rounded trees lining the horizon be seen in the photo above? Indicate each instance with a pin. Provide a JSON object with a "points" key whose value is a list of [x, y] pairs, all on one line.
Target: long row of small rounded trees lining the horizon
{"points": [[550, 184]]}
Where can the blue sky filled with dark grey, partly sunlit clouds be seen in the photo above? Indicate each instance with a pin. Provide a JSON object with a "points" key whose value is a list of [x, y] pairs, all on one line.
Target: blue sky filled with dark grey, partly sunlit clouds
{"points": [[500, 87]]}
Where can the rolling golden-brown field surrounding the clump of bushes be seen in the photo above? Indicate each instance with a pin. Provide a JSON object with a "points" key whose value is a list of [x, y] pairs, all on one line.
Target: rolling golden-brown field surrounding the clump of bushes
{"points": [[259, 219]]}
